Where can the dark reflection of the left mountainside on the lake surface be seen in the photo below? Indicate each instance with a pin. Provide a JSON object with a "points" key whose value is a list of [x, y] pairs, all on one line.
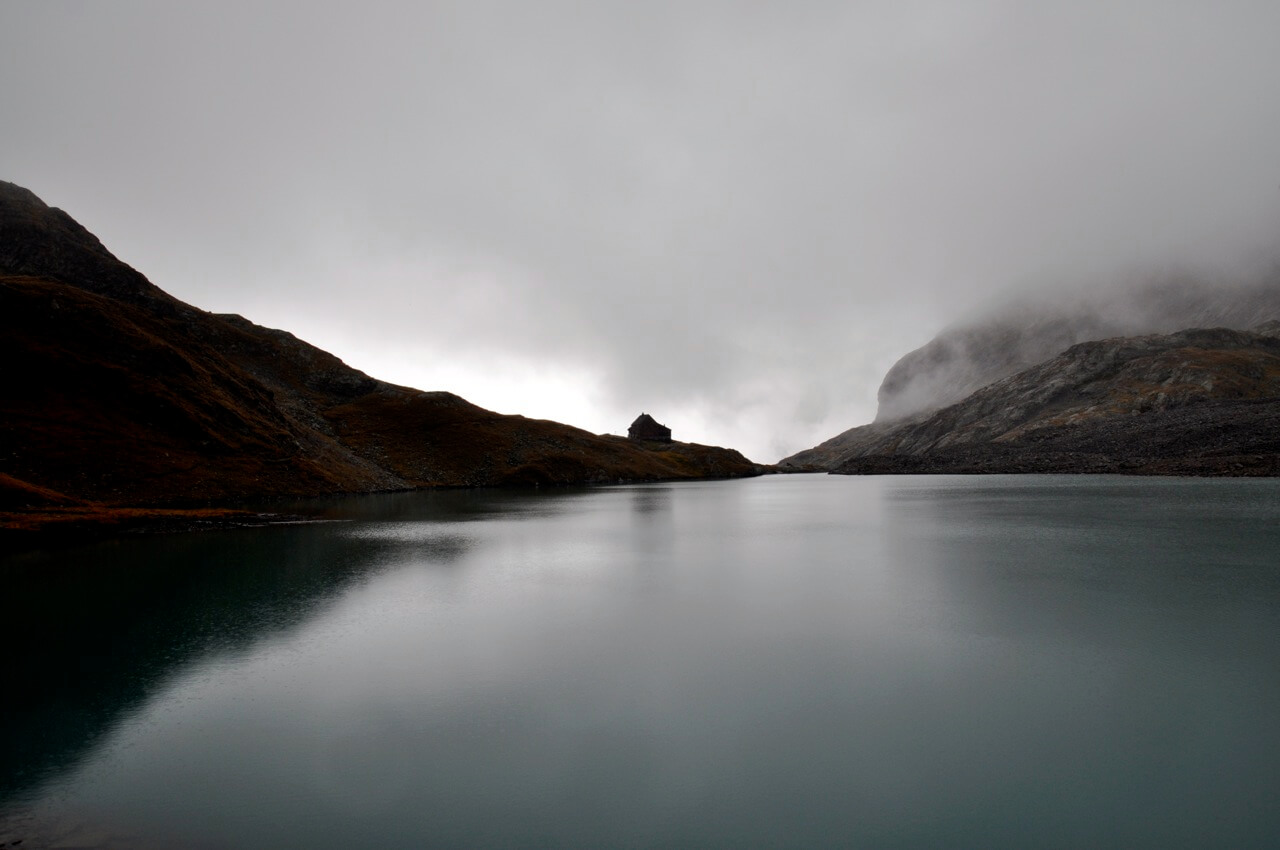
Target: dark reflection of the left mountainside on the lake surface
{"points": [[93, 633]]}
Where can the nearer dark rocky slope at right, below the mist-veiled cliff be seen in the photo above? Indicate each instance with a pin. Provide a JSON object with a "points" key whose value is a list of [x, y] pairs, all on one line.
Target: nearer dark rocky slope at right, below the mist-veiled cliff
{"points": [[1191, 403]]}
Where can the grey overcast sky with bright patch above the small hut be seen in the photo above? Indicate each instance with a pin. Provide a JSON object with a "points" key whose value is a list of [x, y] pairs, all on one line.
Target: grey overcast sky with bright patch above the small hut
{"points": [[732, 216]]}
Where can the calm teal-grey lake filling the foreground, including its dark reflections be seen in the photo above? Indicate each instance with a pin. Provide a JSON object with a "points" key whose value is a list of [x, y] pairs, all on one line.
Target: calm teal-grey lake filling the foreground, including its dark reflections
{"points": [[793, 661]]}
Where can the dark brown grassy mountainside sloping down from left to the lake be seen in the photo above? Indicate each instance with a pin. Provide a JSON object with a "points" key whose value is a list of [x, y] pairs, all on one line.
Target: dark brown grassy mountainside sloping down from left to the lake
{"points": [[120, 395]]}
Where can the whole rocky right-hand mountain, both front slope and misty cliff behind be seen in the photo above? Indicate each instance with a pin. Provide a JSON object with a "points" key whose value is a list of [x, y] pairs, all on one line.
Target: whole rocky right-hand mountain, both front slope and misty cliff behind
{"points": [[1148, 378]]}
